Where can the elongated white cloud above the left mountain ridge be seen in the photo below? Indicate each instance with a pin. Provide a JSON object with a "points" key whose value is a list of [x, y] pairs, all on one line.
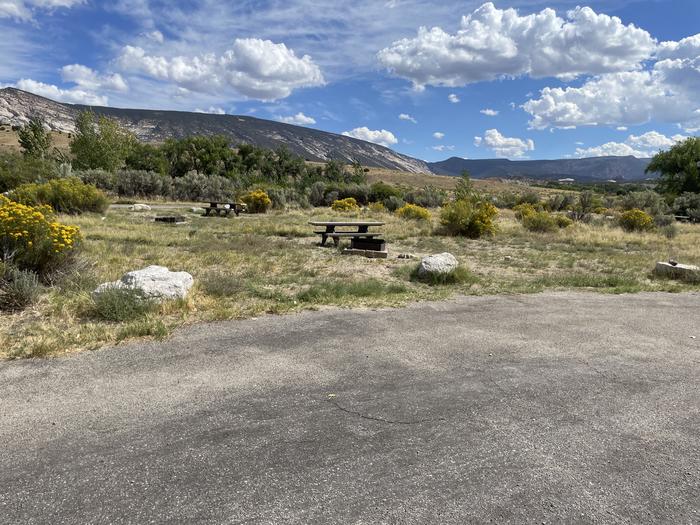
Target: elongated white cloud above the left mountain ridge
{"points": [[254, 68]]}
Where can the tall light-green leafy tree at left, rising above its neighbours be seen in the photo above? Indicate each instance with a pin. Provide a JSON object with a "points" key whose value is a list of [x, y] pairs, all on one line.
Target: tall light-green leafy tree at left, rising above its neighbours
{"points": [[100, 143]]}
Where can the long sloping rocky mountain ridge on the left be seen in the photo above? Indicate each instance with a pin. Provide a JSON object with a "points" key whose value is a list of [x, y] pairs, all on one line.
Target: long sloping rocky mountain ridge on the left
{"points": [[16, 107]]}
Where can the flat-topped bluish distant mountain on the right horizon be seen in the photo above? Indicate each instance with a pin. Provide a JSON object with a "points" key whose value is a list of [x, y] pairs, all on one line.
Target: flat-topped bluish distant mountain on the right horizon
{"points": [[588, 169]]}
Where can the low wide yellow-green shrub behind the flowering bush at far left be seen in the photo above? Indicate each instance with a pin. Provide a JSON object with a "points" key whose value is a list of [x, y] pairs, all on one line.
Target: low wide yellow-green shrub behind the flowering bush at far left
{"points": [[63, 195]]}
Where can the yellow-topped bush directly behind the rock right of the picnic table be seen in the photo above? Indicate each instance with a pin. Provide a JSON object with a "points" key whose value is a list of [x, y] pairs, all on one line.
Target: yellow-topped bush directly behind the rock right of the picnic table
{"points": [[472, 218]]}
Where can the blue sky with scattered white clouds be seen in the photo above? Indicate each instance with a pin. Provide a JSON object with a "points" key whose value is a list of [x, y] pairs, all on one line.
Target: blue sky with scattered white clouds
{"points": [[511, 79]]}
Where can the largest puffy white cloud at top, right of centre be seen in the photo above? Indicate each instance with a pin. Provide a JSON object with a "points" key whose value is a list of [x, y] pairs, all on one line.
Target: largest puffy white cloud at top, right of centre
{"points": [[493, 43]]}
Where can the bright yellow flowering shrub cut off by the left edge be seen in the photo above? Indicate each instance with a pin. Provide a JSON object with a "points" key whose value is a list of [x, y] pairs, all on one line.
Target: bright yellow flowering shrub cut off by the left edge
{"points": [[31, 238]]}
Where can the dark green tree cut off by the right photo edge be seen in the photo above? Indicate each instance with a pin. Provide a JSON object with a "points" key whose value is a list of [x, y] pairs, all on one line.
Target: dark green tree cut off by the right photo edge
{"points": [[678, 167]]}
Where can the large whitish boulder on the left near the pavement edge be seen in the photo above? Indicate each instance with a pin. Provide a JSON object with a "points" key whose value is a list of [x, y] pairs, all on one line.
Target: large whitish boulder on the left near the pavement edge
{"points": [[155, 282]]}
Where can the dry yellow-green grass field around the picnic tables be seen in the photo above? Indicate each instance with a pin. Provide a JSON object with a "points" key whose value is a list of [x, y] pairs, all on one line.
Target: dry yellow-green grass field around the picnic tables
{"points": [[256, 264]]}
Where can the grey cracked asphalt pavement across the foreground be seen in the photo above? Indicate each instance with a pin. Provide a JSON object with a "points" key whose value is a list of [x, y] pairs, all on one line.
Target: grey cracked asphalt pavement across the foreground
{"points": [[546, 408]]}
